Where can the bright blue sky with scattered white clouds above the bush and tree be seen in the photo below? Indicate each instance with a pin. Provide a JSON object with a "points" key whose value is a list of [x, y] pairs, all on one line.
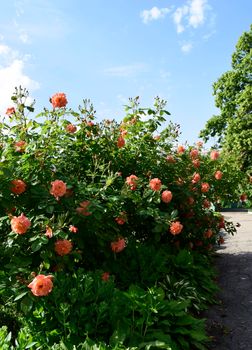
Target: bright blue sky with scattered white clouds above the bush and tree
{"points": [[111, 50]]}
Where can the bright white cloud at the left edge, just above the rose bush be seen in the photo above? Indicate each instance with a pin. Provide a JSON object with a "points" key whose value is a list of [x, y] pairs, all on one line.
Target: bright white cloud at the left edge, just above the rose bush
{"points": [[12, 75]]}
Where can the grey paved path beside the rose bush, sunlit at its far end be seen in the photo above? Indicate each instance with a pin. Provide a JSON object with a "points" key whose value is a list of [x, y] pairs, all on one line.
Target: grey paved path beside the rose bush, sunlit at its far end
{"points": [[230, 323]]}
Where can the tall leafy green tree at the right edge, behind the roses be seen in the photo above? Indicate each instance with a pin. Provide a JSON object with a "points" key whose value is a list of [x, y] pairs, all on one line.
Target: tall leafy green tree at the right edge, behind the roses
{"points": [[233, 96]]}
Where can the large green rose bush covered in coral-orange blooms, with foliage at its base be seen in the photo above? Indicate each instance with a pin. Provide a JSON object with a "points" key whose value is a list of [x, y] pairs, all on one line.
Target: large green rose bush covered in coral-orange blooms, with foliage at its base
{"points": [[93, 218]]}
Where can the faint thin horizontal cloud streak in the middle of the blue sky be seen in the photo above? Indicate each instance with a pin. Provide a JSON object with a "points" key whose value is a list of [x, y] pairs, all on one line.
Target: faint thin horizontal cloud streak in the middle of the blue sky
{"points": [[126, 70]]}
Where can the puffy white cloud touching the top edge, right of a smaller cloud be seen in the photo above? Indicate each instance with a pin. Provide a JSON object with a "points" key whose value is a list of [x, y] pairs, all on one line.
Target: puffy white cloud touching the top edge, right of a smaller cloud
{"points": [[190, 15]]}
